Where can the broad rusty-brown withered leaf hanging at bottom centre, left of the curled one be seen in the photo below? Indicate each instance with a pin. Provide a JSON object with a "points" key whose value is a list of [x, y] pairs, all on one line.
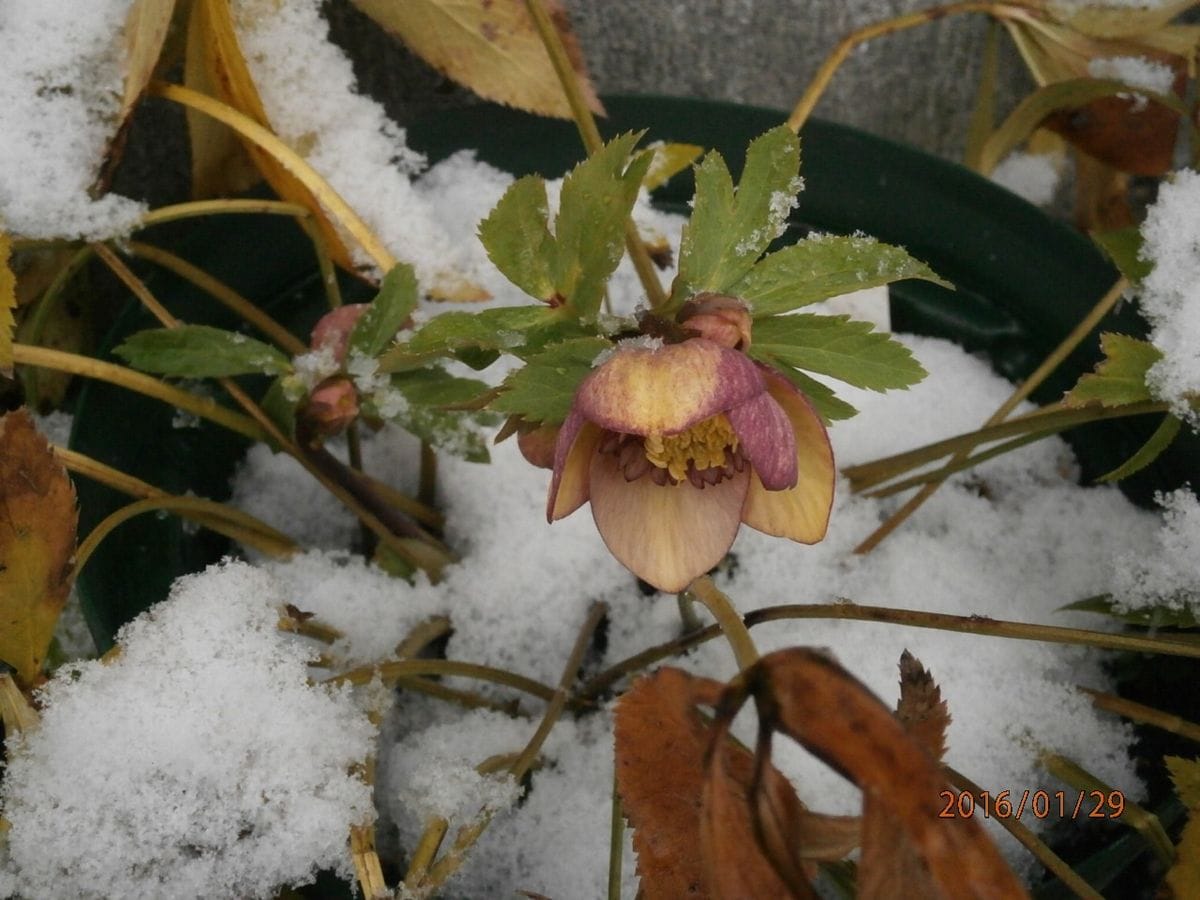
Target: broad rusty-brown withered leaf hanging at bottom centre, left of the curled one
{"points": [[677, 803]]}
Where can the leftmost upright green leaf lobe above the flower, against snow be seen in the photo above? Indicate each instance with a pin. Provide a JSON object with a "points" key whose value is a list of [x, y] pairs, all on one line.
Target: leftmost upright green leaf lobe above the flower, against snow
{"points": [[518, 238]]}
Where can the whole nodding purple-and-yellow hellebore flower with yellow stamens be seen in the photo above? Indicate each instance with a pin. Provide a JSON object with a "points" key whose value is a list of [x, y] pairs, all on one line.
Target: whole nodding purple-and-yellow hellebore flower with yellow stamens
{"points": [[676, 446]]}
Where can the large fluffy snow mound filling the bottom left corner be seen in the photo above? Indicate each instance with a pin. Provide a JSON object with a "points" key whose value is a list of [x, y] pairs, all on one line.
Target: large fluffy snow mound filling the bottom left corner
{"points": [[197, 764]]}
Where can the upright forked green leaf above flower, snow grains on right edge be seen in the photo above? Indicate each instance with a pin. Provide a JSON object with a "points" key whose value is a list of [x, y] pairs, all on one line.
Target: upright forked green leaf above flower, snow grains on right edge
{"points": [[729, 231]]}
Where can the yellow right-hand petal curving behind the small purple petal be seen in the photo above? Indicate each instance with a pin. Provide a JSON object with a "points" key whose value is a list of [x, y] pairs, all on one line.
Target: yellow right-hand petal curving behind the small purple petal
{"points": [[800, 513]]}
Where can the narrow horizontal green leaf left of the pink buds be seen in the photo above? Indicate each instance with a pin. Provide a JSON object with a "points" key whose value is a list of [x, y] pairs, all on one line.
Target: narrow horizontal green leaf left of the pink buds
{"points": [[201, 352]]}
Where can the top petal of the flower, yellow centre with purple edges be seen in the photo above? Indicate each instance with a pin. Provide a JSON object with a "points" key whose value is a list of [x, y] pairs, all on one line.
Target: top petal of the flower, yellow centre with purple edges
{"points": [[664, 391]]}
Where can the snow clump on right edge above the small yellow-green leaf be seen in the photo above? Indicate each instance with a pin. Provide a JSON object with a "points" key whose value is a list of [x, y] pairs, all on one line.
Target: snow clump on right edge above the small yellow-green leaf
{"points": [[1171, 295]]}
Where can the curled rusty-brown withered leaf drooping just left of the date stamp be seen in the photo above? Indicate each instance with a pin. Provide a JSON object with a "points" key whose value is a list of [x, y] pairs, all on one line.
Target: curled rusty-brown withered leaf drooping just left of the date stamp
{"points": [[808, 697]]}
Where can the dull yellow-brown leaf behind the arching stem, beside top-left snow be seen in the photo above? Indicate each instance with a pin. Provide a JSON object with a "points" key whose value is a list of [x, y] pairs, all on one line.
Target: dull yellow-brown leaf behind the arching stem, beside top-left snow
{"points": [[221, 167]]}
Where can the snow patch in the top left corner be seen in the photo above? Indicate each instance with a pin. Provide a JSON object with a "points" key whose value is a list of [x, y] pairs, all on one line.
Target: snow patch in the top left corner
{"points": [[61, 99]]}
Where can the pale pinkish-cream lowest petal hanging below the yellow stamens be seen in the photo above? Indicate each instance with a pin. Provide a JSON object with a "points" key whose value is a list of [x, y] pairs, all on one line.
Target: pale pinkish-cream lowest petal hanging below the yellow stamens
{"points": [[667, 535]]}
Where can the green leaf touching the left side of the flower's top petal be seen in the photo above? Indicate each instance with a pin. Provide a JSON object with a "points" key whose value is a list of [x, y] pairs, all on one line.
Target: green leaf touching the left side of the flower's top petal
{"points": [[544, 389]]}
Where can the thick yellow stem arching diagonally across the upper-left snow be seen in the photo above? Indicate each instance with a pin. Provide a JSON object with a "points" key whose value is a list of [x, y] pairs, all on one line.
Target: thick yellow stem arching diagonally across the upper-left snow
{"points": [[290, 159]]}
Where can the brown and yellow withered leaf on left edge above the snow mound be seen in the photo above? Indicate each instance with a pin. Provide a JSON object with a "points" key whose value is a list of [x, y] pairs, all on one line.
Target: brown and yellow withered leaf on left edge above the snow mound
{"points": [[38, 538]]}
